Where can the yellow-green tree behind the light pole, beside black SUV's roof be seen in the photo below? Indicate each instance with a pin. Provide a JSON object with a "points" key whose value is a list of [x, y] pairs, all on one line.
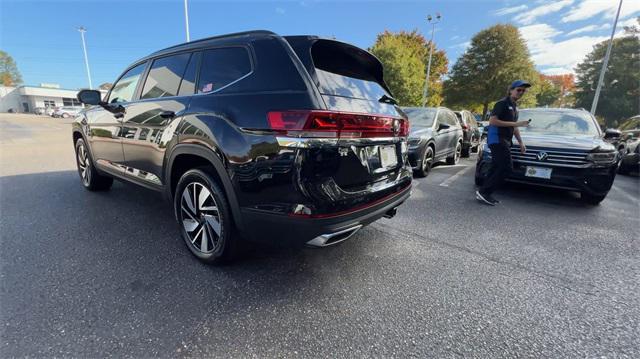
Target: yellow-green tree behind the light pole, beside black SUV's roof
{"points": [[404, 57]]}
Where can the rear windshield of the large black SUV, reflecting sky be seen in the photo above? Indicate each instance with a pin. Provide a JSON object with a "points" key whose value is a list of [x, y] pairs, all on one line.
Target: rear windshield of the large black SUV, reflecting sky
{"points": [[345, 70]]}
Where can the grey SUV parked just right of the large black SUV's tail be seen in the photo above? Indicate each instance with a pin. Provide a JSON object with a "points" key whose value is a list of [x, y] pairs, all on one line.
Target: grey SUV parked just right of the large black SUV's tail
{"points": [[435, 135]]}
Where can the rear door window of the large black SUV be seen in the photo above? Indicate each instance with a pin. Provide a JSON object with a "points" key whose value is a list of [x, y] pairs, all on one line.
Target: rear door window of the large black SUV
{"points": [[164, 76]]}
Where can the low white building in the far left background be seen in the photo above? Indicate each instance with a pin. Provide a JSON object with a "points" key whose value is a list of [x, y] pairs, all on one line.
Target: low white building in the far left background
{"points": [[26, 99]]}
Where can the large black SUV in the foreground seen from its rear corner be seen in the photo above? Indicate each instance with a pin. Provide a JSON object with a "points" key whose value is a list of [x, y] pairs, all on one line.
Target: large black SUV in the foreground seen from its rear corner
{"points": [[288, 140]]}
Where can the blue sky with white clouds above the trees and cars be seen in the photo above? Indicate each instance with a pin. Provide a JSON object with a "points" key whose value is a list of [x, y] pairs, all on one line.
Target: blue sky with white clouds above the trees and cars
{"points": [[42, 36]]}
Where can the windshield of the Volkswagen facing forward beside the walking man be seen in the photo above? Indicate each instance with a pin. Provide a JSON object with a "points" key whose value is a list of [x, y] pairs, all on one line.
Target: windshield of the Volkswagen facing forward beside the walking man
{"points": [[559, 122]]}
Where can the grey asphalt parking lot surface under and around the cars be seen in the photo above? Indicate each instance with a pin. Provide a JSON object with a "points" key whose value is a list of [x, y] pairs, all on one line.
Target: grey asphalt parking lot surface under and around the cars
{"points": [[107, 274]]}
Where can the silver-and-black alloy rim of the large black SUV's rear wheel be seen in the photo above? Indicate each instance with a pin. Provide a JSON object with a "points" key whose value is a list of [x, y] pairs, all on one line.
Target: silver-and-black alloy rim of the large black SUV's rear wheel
{"points": [[200, 217]]}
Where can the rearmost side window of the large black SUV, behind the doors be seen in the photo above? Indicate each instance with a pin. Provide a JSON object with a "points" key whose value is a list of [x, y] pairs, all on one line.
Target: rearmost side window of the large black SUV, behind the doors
{"points": [[221, 67]]}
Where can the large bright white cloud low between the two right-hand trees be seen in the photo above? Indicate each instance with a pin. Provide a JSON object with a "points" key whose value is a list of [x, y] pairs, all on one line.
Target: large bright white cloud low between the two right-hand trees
{"points": [[561, 56]]}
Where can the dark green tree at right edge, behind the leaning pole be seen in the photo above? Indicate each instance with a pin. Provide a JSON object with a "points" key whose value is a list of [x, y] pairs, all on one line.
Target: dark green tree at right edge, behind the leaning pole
{"points": [[620, 93]]}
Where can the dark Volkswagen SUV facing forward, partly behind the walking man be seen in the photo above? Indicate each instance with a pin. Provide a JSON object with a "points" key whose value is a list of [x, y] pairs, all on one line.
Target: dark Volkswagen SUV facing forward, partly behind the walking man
{"points": [[565, 149]]}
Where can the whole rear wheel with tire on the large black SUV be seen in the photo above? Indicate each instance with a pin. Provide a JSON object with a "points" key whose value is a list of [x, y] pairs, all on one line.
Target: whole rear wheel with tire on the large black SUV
{"points": [[206, 222]]}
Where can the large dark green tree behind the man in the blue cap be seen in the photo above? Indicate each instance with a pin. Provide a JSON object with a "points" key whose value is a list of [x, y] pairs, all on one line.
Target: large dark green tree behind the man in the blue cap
{"points": [[496, 57]]}
